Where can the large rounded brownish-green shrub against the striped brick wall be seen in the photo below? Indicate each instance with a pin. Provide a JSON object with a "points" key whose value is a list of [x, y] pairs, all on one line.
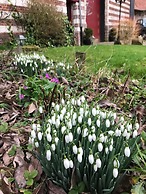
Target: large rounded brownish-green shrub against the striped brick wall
{"points": [[44, 25]]}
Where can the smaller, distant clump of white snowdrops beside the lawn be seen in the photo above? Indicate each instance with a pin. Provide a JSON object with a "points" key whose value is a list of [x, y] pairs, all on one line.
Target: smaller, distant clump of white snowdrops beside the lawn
{"points": [[32, 64]]}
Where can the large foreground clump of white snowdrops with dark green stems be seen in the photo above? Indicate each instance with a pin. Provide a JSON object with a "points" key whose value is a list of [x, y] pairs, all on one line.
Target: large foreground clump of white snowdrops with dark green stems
{"points": [[82, 141]]}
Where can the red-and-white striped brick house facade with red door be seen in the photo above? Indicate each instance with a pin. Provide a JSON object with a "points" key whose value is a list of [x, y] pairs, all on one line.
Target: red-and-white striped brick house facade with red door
{"points": [[99, 15]]}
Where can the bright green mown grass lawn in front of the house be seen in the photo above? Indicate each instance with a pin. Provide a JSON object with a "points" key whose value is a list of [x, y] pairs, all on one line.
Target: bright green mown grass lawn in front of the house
{"points": [[131, 58]]}
